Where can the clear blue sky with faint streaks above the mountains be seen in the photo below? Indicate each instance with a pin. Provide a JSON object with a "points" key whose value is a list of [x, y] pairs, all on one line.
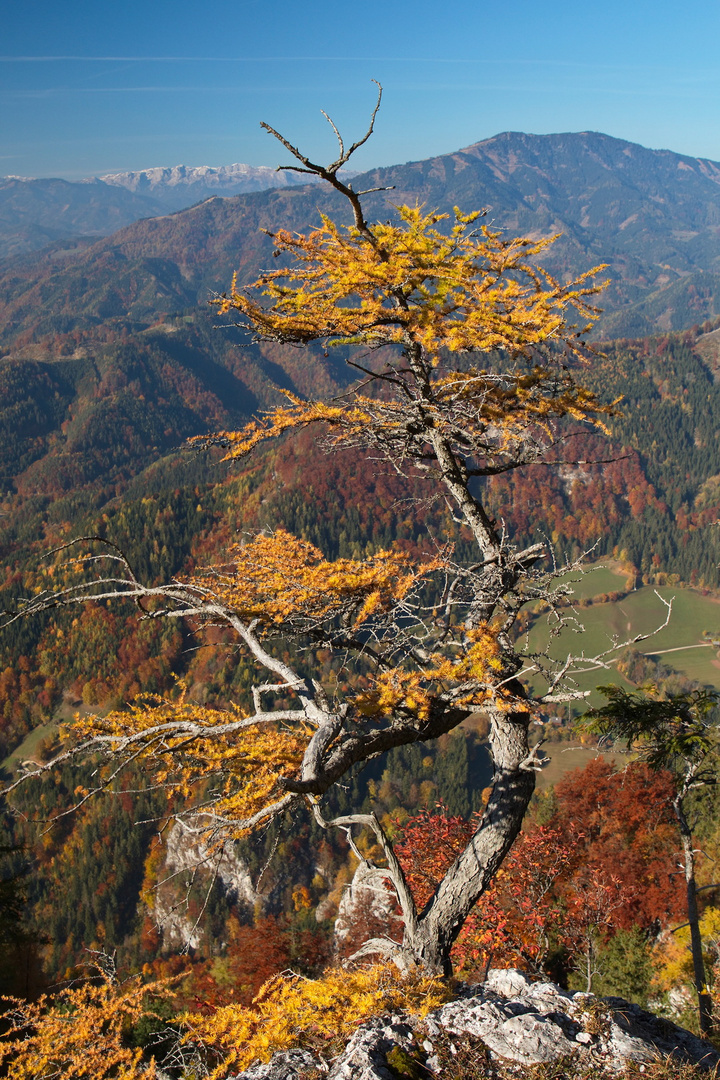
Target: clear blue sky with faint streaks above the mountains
{"points": [[89, 88]]}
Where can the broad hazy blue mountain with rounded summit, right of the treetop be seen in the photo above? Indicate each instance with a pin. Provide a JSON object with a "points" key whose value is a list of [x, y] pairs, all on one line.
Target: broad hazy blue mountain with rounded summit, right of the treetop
{"points": [[654, 217]]}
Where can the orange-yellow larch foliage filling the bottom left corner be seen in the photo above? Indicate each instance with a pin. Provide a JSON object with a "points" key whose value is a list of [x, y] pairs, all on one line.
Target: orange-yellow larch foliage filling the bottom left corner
{"points": [[78, 1034]]}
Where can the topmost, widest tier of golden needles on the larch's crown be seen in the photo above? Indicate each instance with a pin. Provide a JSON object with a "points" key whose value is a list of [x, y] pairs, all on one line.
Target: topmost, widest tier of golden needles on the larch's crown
{"points": [[468, 291]]}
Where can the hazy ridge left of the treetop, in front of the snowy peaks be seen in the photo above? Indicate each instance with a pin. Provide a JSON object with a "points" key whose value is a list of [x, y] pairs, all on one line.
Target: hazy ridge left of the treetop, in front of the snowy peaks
{"points": [[154, 267]]}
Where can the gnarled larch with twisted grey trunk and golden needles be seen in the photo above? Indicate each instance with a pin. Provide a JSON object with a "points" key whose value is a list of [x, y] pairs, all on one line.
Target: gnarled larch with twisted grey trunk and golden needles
{"points": [[469, 358]]}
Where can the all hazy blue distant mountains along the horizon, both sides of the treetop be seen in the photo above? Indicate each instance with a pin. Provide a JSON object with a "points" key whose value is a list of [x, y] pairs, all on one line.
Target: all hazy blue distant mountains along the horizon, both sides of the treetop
{"points": [[654, 217]]}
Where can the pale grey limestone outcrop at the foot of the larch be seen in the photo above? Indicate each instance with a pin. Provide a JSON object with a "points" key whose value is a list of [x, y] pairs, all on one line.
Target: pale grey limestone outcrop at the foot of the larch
{"points": [[510, 1020]]}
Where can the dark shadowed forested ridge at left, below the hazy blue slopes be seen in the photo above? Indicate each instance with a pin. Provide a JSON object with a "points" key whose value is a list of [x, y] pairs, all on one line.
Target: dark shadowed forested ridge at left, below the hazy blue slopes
{"points": [[80, 428]]}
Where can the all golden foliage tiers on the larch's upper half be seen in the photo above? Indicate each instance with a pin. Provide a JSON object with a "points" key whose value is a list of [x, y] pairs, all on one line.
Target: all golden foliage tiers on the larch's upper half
{"points": [[411, 286]]}
